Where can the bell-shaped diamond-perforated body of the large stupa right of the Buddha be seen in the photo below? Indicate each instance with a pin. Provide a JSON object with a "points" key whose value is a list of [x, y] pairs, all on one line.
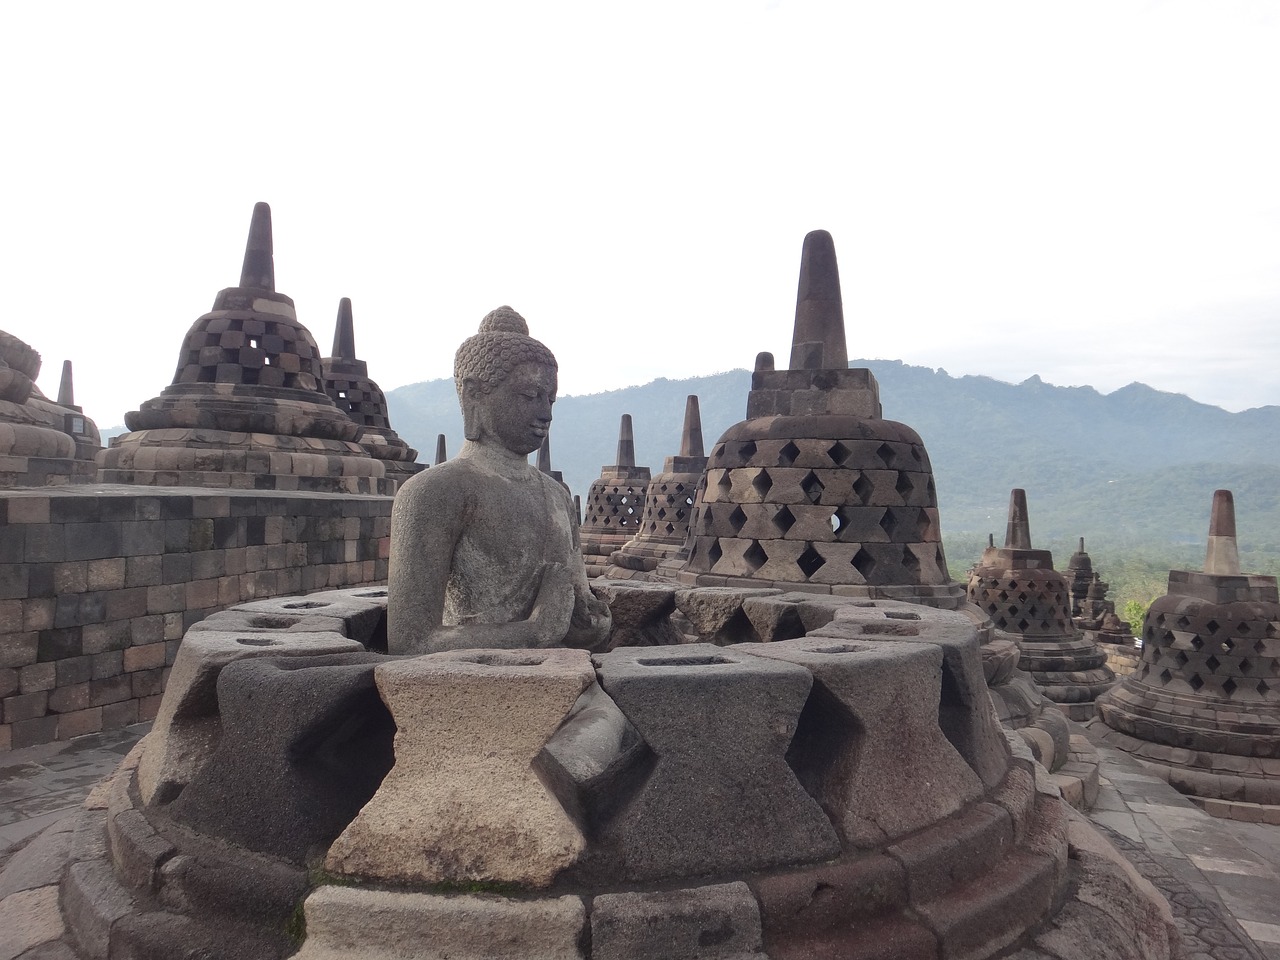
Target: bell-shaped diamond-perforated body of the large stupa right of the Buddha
{"points": [[824, 501]]}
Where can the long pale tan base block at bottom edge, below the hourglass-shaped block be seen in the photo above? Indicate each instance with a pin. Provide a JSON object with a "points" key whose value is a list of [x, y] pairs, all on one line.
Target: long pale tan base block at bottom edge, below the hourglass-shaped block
{"points": [[345, 922]]}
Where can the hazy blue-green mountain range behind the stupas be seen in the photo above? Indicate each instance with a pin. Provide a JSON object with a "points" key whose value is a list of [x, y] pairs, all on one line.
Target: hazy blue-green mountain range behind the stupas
{"points": [[1136, 468]]}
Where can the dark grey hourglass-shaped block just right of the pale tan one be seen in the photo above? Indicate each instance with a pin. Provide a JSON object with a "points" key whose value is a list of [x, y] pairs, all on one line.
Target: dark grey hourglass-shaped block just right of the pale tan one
{"points": [[708, 810]]}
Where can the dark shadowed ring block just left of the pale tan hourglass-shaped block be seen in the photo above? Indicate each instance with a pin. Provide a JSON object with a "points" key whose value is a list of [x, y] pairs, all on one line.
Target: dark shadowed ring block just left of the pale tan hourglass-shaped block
{"points": [[305, 744]]}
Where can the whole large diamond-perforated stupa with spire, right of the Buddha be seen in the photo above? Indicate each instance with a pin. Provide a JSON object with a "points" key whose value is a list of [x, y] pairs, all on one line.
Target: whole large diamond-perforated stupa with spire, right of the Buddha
{"points": [[816, 487]]}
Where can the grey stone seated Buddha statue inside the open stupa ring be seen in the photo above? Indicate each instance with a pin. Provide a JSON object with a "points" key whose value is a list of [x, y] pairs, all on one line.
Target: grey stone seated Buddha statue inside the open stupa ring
{"points": [[486, 547]]}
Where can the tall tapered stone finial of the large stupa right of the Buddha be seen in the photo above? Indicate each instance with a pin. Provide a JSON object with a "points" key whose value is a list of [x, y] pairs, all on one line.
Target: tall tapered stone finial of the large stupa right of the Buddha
{"points": [[819, 341]]}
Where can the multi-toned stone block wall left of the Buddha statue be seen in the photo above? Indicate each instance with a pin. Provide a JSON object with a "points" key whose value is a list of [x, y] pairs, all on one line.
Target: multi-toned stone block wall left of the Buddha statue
{"points": [[98, 586]]}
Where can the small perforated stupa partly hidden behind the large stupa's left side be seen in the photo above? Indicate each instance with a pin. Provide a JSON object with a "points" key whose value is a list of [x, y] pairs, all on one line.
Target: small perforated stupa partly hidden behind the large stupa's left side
{"points": [[669, 505]]}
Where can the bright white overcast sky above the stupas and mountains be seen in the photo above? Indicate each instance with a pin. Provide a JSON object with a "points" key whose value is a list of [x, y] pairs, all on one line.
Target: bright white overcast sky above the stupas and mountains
{"points": [[1085, 191]]}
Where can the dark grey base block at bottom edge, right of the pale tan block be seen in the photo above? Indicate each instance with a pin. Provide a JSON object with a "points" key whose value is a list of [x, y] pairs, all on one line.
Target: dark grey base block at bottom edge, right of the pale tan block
{"points": [[701, 924]]}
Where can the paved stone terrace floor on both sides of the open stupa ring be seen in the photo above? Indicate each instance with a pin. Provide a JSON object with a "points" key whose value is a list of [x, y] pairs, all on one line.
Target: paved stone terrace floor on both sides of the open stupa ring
{"points": [[1222, 877]]}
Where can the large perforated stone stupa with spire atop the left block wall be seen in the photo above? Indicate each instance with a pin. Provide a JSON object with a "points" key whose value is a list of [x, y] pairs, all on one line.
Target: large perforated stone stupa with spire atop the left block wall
{"points": [[246, 408]]}
